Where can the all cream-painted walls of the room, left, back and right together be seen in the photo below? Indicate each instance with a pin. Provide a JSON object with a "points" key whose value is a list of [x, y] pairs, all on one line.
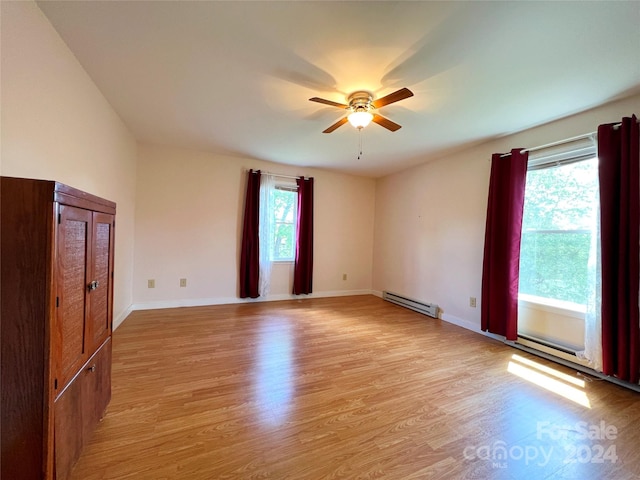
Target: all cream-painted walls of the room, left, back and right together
{"points": [[429, 221]]}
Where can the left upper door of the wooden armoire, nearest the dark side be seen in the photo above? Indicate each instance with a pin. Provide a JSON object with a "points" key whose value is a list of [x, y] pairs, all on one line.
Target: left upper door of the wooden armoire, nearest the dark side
{"points": [[73, 249]]}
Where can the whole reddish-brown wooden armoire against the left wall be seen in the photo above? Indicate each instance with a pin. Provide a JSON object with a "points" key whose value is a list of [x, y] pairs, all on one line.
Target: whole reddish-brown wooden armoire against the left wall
{"points": [[56, 297]]}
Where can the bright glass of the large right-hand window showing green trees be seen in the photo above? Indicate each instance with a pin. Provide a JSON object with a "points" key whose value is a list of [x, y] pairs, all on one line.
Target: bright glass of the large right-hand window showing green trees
{"points": [[559, 214]]}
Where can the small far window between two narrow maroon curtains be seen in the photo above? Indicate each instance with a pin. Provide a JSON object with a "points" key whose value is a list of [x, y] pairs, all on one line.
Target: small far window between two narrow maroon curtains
{"points": [[285, 212]]}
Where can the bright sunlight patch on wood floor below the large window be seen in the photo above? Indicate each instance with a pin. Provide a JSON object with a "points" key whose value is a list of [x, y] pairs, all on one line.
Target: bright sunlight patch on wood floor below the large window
{"points": [[564, 385]]}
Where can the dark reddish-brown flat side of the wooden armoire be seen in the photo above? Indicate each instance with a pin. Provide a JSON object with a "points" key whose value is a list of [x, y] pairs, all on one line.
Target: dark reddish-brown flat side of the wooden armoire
{"points": [[26, 218]]}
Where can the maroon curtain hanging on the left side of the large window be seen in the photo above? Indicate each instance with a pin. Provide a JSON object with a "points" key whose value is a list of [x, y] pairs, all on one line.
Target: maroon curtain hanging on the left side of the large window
{"points": [[501, 267]]}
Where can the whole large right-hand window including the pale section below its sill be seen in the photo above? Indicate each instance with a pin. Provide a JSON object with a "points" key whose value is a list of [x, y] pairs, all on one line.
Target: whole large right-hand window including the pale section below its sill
{"points": [[559, 235]]}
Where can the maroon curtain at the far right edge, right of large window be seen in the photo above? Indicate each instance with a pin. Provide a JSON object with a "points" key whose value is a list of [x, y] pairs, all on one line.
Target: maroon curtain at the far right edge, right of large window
{"points": [[619, 211]]}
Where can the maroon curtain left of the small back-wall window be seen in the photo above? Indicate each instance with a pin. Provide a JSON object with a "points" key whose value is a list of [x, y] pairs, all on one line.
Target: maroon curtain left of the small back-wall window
{"points": [[249, 253]]}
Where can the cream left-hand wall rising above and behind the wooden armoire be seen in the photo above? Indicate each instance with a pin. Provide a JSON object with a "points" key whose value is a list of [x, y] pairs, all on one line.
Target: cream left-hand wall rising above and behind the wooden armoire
{"points": [[56, 125]]}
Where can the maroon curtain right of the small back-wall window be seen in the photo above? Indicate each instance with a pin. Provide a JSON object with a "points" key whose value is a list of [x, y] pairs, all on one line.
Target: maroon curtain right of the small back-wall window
{"points": [[303, 268]]}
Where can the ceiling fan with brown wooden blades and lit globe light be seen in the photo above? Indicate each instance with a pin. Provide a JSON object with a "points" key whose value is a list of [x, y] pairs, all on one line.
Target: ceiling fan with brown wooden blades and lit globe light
{"points": [[361, 104]]}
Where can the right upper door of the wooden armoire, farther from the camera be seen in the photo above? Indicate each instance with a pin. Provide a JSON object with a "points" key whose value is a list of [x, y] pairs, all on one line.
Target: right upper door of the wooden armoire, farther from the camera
{"points": [[102, 266]]}
